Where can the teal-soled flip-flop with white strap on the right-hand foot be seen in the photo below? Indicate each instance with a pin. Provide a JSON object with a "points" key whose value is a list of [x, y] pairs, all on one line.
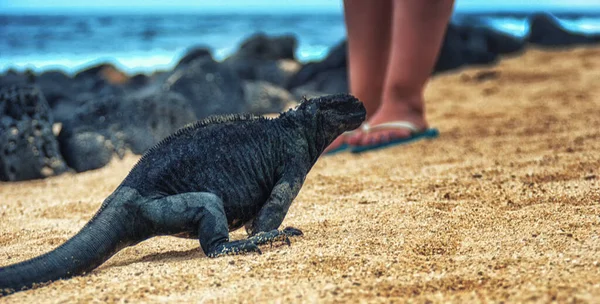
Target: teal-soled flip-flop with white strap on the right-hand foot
{"points": [[416, 134]]}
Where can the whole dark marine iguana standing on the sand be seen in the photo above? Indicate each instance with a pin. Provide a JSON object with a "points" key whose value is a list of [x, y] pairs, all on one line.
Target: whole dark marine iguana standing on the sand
{"points": [[203, 181]]}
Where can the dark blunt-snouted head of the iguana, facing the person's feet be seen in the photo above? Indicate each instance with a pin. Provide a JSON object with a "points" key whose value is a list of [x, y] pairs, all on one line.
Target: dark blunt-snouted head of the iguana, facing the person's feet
{"points": [[331, 115]]}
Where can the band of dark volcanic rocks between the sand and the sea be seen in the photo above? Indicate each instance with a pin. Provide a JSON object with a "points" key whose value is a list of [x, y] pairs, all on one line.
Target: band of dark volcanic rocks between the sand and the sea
{"points": [[53, 123]]}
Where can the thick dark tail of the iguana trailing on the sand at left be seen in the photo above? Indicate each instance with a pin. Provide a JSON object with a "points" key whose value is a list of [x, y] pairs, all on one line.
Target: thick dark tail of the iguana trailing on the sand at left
{"points": [[108, 232]]}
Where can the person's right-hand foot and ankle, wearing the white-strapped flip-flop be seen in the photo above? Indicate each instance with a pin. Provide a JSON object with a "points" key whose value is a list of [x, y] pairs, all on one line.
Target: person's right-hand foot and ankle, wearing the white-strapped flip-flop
{"points": [[388, 112]]}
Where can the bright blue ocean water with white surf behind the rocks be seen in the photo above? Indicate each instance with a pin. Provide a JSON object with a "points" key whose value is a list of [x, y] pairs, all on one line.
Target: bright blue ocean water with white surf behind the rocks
{"points": [[139, 43]]}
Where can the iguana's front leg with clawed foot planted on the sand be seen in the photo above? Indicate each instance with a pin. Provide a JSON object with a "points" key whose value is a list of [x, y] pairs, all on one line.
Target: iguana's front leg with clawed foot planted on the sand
{"points": [[263, 228]]}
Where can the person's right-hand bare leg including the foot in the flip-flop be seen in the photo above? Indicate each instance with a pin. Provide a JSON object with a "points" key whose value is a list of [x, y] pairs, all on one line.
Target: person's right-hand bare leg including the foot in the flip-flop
{"points": [[417, 34]]}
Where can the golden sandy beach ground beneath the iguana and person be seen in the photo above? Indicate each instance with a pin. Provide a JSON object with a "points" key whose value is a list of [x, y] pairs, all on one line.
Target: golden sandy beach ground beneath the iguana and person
{"points": [[503, 207]]}
